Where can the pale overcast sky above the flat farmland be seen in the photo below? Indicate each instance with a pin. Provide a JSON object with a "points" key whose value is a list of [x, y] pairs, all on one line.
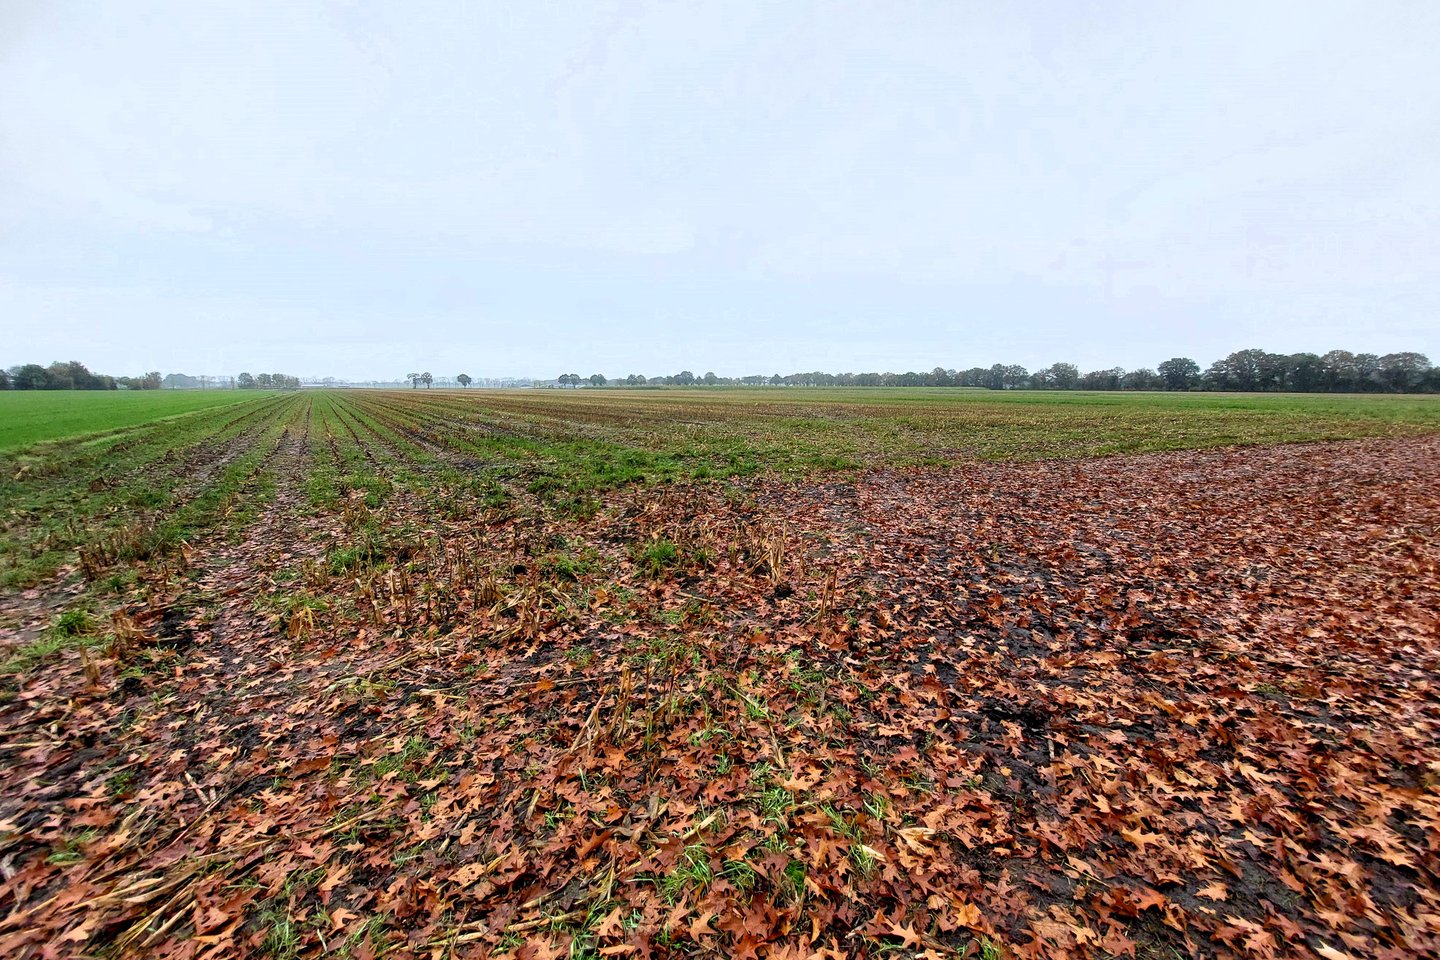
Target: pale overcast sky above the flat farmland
{"points": [[368, 189]]}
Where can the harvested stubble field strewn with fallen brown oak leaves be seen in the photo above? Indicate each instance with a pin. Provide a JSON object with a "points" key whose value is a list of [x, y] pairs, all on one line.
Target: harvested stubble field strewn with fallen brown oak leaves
{"points": [[725, 674]]}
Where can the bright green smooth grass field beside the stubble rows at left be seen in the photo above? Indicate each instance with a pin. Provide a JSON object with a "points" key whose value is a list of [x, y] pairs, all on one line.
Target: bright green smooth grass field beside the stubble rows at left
{"points": [[32, 417]]}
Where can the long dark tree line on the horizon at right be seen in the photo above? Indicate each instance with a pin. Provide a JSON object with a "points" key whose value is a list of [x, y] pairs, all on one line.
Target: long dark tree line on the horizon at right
{"points": [[1246, 371]]}
